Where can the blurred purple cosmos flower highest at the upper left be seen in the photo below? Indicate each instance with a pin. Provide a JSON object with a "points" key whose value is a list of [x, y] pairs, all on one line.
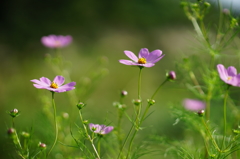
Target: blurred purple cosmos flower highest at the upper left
{"points": [[54, 41]]}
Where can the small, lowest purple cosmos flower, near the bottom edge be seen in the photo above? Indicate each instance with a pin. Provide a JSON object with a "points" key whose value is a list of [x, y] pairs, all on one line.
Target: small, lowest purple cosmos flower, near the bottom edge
{"points": [[100, 129]]}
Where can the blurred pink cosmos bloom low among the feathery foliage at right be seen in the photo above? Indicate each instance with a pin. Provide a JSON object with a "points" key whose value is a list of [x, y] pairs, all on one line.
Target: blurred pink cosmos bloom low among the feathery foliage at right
{"points": [[194, 105]]}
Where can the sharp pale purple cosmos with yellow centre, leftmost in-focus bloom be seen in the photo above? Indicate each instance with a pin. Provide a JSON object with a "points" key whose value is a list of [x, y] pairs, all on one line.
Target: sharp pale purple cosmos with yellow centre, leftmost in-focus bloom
{"points": [[55, 86]]}
